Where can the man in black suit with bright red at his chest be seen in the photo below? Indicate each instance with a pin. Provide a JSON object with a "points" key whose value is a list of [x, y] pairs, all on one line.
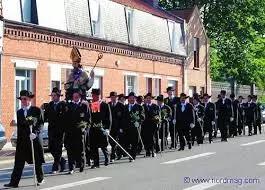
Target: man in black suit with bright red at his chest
{"points": [[100, 125]]}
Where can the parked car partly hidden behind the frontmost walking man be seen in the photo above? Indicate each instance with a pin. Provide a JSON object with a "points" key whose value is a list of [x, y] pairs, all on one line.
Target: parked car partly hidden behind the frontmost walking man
{"points": [[44, 134]]}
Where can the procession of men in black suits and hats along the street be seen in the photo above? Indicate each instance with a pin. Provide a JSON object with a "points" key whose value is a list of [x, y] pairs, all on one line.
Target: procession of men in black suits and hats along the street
{"points": [[83, 126]]}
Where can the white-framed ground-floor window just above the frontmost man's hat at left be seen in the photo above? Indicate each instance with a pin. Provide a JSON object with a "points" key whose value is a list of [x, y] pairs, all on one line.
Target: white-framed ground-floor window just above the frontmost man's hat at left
{"points": [[24, 81]]}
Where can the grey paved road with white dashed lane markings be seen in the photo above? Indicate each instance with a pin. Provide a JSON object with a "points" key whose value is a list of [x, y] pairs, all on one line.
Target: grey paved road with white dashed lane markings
{"points": [[237, 164]]}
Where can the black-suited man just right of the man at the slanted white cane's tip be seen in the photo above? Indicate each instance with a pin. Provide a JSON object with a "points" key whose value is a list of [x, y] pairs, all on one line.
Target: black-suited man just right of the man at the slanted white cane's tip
{"points": [[151, 125]]}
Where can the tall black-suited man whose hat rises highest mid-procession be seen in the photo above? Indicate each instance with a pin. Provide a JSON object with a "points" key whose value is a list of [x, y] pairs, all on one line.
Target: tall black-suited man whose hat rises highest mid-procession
{"points": [[172, 101]]}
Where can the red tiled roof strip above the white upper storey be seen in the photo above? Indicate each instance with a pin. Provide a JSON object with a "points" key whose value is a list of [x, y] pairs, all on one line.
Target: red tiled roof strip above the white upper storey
{"points": [[146, 6]]}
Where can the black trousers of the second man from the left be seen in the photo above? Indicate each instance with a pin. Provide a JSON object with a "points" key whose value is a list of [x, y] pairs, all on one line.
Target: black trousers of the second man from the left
{"points": [[55, 147]]}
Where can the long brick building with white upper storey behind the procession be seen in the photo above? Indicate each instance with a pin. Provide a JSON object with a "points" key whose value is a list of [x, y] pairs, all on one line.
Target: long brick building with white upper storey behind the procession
{"points": [[145, 48]]}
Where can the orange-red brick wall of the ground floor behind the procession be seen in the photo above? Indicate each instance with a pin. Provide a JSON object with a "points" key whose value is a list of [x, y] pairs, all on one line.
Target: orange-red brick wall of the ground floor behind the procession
{"points": [[45, 54]]}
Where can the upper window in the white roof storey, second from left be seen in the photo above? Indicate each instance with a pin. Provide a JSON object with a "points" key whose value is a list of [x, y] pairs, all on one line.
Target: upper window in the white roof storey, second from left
{"points": [[95, 18]]}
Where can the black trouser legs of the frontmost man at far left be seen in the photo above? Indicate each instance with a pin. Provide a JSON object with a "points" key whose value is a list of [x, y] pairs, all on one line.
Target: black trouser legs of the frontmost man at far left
{"points": [[18, 169]]}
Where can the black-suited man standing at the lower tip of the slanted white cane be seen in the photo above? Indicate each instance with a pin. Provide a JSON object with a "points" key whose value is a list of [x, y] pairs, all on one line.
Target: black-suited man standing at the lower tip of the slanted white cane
{"points": [[134, 115]]}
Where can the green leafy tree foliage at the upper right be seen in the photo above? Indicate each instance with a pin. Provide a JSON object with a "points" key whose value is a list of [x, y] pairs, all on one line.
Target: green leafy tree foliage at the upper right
{"points": [[236, 29]]}
